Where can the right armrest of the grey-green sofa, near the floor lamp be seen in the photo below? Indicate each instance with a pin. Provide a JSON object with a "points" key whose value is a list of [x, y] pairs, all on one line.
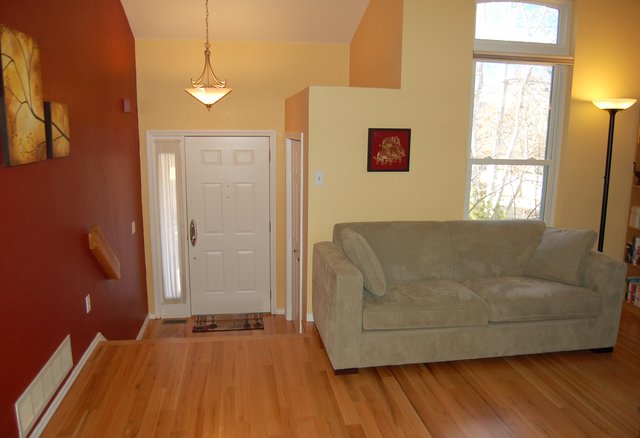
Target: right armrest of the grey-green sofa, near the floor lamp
{"points": [[606, 275]]}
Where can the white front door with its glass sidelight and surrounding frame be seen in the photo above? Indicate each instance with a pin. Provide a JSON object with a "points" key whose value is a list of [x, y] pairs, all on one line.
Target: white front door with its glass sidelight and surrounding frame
{"points": [[221, 185]]}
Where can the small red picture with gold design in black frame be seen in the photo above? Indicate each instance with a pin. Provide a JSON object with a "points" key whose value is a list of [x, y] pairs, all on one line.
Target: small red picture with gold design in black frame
{"points": [[388, 150]]}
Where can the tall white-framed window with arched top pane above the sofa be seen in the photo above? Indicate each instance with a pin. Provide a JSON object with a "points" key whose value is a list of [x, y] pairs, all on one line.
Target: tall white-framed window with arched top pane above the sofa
{"points": [[519, 90]]}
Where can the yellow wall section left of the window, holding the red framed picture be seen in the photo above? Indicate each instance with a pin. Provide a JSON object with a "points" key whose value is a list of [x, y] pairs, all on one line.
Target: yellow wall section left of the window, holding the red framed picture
{"points": [[434, 102]]}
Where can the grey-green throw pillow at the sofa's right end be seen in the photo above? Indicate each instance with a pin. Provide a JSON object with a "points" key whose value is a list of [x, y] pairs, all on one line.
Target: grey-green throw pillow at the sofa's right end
{"points": [[560, 255]]}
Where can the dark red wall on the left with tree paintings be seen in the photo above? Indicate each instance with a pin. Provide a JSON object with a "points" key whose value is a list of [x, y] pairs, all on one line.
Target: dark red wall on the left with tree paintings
{"points": [[46, 209]]}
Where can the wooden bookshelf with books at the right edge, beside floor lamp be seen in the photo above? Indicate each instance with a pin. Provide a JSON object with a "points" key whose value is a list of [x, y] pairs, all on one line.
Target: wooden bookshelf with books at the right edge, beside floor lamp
{"points": [[633, 236]]}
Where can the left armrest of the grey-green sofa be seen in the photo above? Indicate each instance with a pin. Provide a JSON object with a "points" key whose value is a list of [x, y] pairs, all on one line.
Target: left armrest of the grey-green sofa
{"points": [[337, 291]]}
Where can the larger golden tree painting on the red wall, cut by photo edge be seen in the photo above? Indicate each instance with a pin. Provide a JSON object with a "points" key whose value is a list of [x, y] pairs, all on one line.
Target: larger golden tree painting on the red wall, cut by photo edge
{"points": [[22, 128]]}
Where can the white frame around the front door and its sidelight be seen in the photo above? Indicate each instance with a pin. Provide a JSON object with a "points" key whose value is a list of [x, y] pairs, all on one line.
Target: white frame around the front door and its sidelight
{"points": [[184, 310]]}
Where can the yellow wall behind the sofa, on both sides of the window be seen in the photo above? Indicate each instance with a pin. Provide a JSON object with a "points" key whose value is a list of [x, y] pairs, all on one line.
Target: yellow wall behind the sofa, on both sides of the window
{"points": [[435, 102]]}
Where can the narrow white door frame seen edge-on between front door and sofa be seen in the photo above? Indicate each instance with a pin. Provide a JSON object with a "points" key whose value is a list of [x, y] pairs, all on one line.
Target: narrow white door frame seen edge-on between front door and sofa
{"points": [[290, 137]]}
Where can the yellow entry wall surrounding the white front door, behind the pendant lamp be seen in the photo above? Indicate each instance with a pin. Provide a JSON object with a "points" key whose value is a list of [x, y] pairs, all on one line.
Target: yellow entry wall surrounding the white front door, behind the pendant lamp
{"points": [[262, 75]]}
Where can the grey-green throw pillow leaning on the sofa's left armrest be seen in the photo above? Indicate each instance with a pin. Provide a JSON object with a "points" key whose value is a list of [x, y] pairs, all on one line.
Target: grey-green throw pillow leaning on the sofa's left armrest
{"points": [[359, 252]]}
